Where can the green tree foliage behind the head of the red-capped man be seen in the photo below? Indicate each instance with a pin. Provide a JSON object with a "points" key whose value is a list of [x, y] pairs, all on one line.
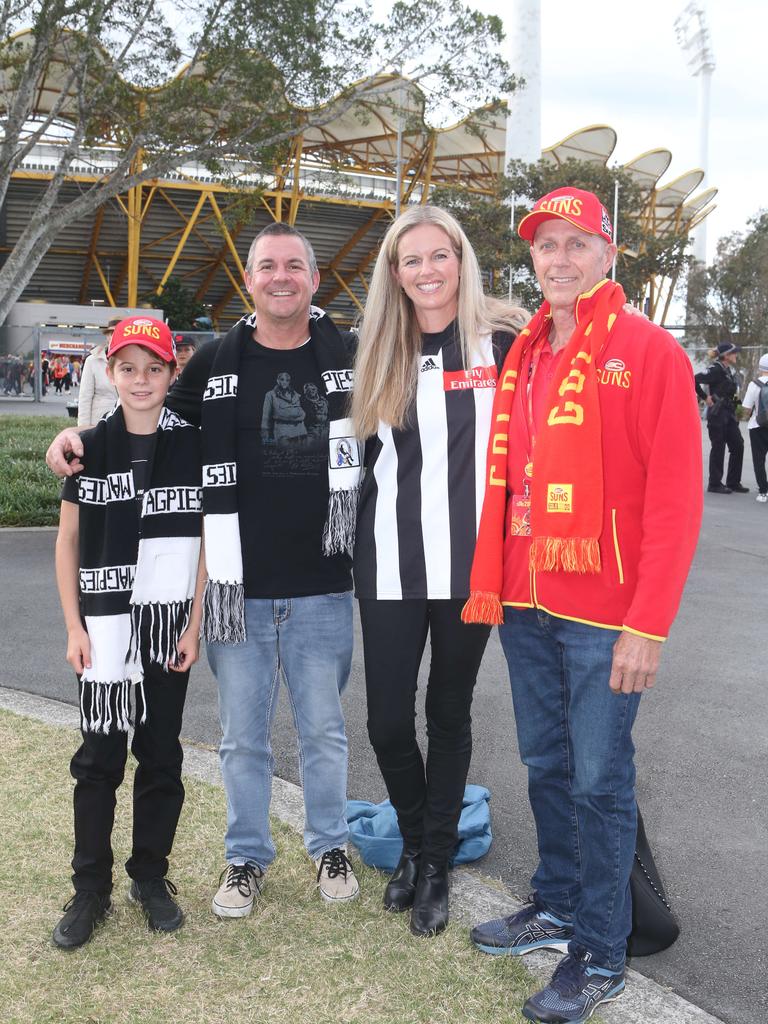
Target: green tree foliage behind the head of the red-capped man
{"points": [[487, 222]]}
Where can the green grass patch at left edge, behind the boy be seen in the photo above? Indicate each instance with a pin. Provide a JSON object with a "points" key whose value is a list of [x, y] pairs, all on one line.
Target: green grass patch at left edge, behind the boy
{"points": [[29, 492]]}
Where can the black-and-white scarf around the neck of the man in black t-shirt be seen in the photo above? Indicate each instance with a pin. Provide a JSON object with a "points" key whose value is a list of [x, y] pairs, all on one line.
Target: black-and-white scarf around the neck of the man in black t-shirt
{"points": [[224, 609]]}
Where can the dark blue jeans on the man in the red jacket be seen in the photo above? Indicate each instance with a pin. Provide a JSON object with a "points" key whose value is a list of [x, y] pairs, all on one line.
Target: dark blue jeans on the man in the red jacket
{"points": [[575, 737]]}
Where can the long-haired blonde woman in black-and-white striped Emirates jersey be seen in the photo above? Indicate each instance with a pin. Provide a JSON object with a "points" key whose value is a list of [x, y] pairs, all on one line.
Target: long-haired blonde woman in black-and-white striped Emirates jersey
{"points": [[430, 351]]}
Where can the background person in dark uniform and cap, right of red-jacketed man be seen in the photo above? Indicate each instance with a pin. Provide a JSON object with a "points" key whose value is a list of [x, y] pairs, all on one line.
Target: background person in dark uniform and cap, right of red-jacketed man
{"points": [[721, 381]]}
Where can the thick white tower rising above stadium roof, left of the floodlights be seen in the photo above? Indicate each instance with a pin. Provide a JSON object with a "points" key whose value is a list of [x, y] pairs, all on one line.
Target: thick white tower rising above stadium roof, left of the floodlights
{"points": [[525, 105]]}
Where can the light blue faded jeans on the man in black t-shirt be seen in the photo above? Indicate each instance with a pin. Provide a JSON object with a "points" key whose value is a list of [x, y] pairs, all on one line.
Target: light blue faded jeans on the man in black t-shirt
{"points": [[309, 641]]}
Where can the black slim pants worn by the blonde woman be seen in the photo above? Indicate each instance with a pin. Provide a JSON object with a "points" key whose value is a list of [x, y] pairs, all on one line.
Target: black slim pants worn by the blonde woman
{"points": [[428, 800]]}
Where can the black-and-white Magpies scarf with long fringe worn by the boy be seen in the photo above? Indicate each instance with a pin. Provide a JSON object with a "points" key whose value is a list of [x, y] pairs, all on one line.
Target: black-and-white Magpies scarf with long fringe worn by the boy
{"points": [[138, 568]]}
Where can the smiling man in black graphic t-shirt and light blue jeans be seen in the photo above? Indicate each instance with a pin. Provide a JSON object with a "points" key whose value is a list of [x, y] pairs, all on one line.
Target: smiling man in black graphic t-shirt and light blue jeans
{"points": [[298, 602]]}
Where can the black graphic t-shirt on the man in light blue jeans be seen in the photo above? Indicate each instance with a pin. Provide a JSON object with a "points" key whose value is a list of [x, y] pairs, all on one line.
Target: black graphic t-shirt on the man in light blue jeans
{"points": [[282, 468]]}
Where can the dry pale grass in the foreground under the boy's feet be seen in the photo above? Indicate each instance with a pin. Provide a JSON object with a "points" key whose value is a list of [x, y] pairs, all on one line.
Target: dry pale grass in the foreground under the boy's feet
{"points": [[293, 961]]}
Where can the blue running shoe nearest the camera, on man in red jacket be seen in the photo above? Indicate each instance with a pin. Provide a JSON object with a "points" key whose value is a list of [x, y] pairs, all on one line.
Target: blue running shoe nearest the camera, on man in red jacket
{"points": [[576, 992]]}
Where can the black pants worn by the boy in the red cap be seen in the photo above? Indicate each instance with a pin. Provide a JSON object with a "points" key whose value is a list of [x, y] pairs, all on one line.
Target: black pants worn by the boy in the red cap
{"points": [[99, 767]]}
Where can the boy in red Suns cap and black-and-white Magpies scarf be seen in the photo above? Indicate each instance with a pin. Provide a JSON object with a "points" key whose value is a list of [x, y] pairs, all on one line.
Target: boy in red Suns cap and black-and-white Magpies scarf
{"points": [[131, 577]]}
